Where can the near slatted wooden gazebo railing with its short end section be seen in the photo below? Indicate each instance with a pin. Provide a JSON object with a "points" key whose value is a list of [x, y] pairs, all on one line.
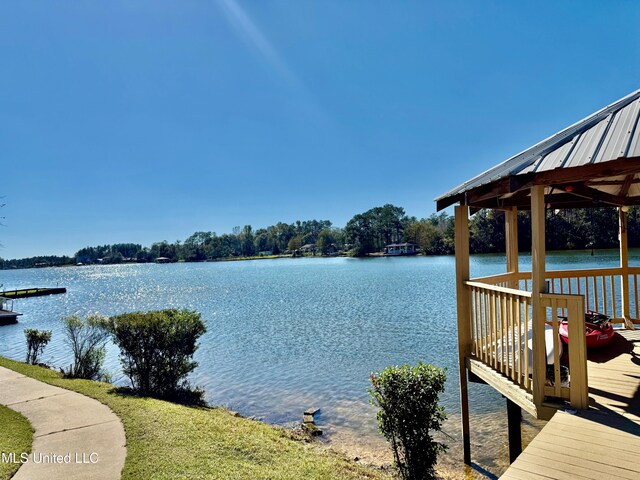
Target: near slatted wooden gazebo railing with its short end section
{"points": [[501, 328]]}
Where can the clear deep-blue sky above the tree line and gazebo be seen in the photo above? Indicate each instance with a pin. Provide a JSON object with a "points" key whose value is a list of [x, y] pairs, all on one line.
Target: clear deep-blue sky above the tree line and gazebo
{"points": [[140, 121]]}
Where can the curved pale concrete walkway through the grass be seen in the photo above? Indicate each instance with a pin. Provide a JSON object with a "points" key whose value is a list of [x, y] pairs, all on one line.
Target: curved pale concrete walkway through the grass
{"points": [[76, 437]]}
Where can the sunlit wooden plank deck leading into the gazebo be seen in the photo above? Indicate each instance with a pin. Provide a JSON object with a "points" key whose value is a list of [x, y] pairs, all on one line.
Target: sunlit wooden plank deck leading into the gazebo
{"points": [[602, 442]]}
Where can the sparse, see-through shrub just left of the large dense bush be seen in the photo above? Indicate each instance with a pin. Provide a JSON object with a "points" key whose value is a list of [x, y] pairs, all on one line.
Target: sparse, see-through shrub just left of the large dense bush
{"points": [[87, 339]]}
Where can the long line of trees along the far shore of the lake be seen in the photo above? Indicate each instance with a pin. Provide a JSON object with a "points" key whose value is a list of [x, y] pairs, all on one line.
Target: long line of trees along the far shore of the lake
{"points": [[366, 233]]}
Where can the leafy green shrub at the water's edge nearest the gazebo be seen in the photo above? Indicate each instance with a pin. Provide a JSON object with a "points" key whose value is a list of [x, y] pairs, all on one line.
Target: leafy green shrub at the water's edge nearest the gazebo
{"points": [[407, 398]]}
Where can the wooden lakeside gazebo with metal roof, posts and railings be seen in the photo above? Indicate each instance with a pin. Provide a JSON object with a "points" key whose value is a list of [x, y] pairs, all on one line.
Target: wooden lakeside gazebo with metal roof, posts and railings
{"points": [[593, 163]]}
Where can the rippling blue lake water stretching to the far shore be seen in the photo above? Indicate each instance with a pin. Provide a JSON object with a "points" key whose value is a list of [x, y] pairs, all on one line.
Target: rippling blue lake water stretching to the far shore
{"points": [[284, 335]]}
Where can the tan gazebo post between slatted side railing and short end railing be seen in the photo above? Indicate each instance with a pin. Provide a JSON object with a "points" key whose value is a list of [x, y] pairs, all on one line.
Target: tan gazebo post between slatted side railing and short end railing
{"points": [[538, 281]]}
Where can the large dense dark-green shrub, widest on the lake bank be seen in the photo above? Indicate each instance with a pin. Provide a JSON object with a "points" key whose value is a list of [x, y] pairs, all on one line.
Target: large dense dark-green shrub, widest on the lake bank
{"points": [[156, 350]]}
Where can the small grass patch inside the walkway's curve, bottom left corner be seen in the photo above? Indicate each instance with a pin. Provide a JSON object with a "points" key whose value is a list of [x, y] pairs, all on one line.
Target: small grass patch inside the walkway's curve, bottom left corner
{"points": [[16, 436]]}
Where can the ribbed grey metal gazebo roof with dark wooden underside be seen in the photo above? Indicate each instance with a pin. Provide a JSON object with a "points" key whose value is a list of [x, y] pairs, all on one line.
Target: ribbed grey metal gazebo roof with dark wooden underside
{"points": [[596, 161]]}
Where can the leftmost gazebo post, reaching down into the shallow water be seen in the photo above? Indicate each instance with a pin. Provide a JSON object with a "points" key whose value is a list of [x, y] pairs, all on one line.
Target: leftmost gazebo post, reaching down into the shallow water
{"points": [[464, 317]]}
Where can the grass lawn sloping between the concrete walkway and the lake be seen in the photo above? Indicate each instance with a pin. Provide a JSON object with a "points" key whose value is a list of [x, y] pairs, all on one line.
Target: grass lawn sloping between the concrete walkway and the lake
{"points": [[166, 440]]}
